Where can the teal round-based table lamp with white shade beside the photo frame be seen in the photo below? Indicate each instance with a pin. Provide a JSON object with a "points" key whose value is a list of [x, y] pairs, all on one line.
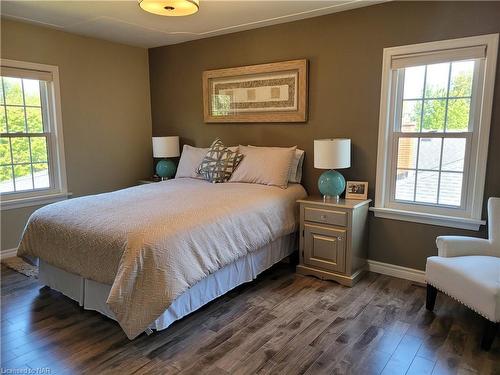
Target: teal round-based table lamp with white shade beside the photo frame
{"points": [[332, 154]]}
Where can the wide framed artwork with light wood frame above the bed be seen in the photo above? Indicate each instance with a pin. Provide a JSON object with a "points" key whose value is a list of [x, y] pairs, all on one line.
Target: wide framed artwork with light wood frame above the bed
{"points": [[275, 92]]}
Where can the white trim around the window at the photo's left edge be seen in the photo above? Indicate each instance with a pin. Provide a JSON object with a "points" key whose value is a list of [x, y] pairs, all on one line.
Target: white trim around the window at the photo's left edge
{"points": [[57, 160]]}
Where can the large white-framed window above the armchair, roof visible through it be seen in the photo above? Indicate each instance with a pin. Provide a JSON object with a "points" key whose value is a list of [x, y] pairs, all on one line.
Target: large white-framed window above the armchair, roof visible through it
{"points": [[434, 127]]}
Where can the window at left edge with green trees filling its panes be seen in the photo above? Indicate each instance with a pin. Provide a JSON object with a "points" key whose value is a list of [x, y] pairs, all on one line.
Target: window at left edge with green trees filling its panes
{"points": [[31, 151]]}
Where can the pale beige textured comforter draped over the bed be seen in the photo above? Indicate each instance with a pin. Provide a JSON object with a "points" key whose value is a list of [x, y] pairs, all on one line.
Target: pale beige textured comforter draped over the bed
{"points": [[153, 242]]}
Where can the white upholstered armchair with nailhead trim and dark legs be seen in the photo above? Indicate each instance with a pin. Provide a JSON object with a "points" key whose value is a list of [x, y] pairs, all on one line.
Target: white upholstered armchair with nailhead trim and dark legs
{"points": [[468, 269]]}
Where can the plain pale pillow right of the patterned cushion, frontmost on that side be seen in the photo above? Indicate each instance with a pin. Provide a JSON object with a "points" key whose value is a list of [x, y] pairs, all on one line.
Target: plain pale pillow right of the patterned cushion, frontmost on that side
{"points": [[264, 165]]}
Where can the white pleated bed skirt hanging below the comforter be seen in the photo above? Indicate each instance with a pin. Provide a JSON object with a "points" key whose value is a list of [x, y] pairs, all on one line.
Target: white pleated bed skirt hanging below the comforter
{"points": [[93, 295]]}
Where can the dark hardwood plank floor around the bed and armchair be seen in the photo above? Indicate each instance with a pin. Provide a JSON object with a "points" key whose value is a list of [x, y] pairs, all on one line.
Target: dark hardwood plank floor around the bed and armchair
{"points": [[281, 323]]}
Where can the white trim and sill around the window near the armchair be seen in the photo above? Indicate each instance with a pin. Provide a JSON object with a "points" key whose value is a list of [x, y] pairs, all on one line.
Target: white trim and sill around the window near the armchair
{"points": [[464, 219]]}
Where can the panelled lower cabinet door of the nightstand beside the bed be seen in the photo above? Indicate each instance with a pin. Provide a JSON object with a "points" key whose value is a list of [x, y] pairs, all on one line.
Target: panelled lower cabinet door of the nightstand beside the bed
{"points": [[325, 247]]}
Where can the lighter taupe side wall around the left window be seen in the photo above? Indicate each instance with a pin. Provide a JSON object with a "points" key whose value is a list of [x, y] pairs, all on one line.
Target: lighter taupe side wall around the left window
{"points": [[106, 110]]}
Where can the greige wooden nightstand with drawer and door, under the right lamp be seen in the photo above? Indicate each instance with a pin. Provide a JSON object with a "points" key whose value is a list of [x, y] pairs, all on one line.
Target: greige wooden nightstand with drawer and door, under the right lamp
{"points": [[334, 239]]}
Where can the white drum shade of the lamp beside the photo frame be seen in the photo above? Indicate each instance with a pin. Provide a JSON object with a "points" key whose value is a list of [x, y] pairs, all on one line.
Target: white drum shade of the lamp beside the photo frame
{"points": [[332, 153]]}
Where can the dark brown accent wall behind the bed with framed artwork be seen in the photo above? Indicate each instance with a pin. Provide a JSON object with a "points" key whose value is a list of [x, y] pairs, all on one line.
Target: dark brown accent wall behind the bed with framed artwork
{"points": [[345, 55]]}
